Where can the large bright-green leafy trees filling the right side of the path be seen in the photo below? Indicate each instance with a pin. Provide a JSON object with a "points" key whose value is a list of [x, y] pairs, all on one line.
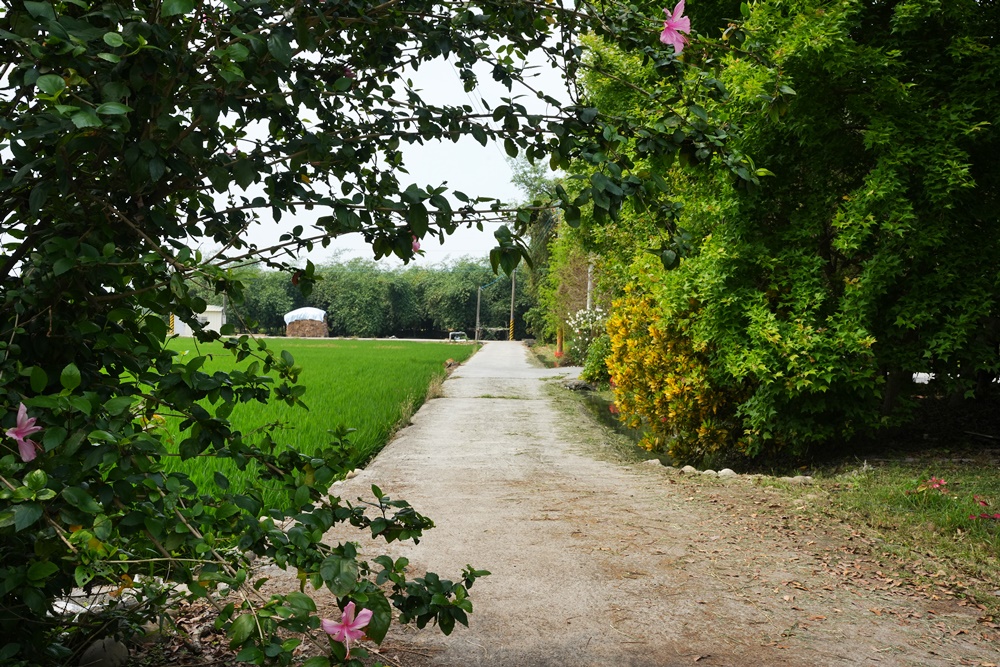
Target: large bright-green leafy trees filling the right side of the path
{"points": [[866, 255]]}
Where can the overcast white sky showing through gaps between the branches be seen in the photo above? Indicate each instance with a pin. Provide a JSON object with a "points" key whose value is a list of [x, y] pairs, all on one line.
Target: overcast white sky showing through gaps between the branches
{"points": [[466, 166]]}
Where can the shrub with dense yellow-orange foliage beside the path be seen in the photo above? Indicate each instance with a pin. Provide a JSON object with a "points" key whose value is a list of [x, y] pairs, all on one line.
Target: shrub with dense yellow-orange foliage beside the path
{"points": [[662, 382]]}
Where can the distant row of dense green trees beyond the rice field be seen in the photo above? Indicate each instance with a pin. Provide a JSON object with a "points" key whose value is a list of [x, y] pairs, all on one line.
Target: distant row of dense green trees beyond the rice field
{"points": [[364, 299]]}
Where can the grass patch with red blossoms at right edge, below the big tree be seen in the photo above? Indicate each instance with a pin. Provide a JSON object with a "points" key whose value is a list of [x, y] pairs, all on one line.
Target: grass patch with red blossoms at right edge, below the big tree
{"points": [[939, 507]]}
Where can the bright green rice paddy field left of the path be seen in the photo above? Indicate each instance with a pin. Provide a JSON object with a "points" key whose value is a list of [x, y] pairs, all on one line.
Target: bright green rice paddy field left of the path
{"points": [[373, 386]]}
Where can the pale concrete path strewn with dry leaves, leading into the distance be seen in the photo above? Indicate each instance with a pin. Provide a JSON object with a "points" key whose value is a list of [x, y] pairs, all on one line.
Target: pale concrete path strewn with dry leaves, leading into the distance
{"points": [[597, 563]]}
